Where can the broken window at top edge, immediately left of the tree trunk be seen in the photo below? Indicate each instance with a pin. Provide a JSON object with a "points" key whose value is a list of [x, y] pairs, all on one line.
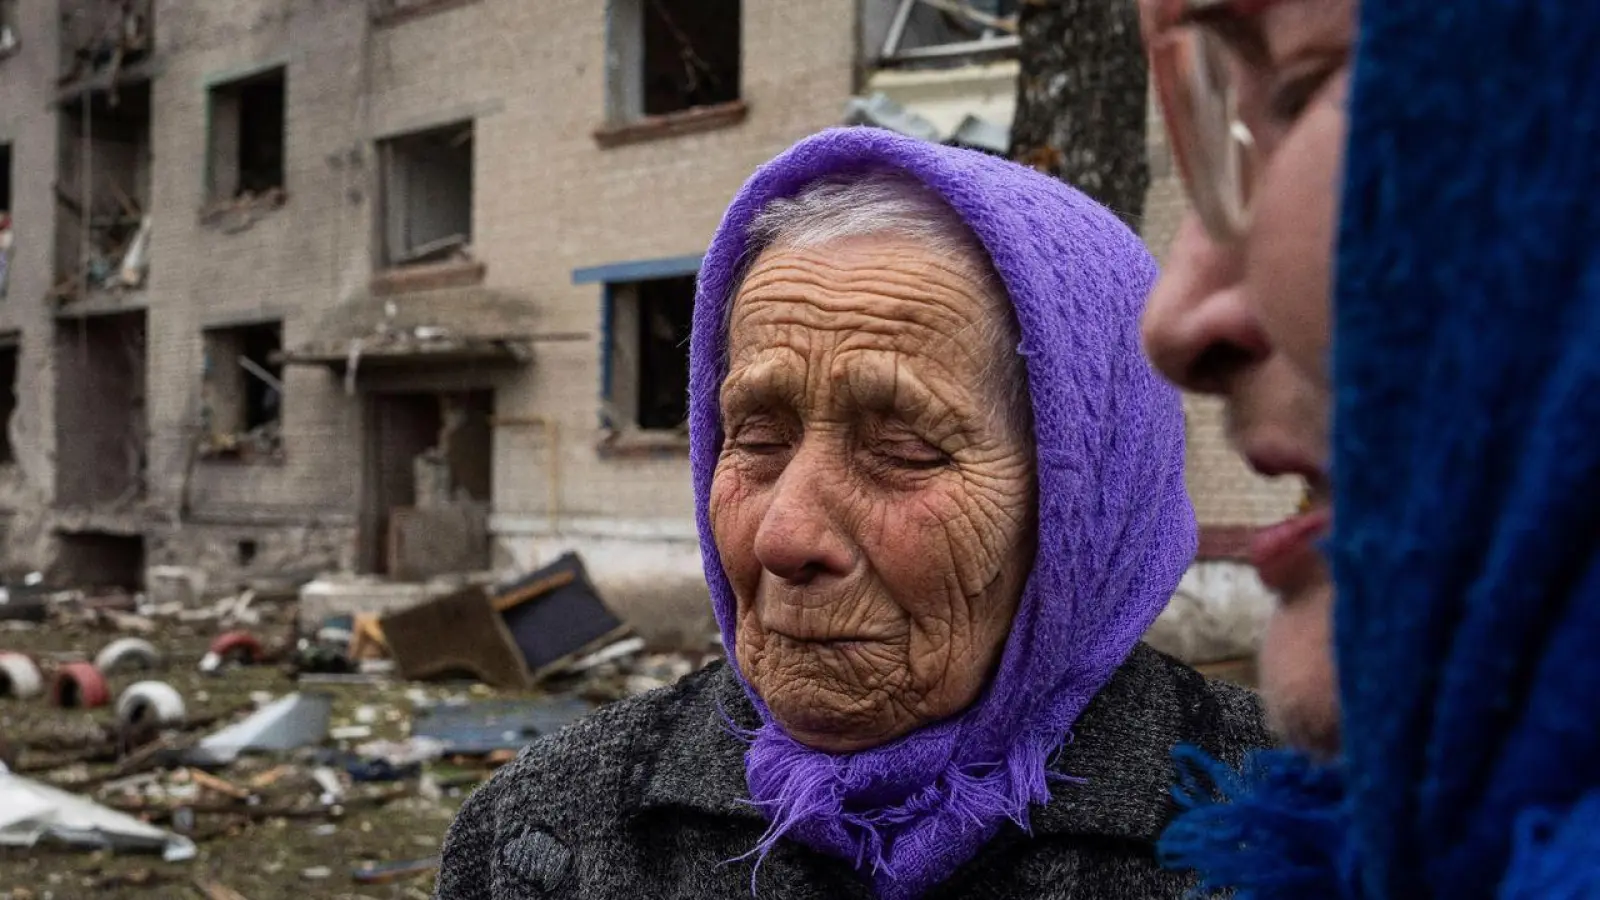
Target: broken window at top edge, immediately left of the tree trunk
{"points": [[929, 31]]}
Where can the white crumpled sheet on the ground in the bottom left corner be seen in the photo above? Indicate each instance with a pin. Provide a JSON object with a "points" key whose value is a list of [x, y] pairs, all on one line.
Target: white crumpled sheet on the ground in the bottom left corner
{"points": [[33, 813]]}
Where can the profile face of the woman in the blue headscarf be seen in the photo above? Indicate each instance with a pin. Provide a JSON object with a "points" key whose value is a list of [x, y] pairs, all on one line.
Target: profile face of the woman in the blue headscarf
{"points": [[1249, 321]]}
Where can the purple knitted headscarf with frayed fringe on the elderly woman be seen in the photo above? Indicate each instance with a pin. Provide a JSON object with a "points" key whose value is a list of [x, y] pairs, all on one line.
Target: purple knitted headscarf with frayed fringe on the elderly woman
{"points": [[1116, 528]]}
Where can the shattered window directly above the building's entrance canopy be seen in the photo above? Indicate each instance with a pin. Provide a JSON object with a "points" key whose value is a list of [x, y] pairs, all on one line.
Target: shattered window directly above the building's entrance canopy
{"points": [[428, 196]]}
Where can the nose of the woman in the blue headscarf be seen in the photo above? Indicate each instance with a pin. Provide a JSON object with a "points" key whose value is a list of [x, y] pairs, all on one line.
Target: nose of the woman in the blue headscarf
{"points": [[1198, 327]]}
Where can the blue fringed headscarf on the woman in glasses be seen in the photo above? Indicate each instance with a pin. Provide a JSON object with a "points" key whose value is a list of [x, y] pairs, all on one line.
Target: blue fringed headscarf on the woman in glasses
{"points": [[1466, 544]]}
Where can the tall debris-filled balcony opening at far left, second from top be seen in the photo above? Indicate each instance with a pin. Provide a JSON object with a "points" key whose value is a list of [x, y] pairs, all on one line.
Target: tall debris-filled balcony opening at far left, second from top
{"points": [[103, 233]]}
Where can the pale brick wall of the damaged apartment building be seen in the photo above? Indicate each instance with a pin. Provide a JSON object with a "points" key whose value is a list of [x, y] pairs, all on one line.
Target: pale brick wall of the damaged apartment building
{"points": [[548, 201]]}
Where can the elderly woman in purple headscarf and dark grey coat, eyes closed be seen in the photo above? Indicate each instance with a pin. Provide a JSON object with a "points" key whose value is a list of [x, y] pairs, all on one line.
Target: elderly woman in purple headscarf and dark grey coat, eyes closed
{"points": [[942, 497]]}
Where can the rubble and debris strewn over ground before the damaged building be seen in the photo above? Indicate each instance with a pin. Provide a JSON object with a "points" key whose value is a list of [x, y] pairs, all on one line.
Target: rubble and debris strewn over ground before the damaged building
{"points": [[153, 741]]}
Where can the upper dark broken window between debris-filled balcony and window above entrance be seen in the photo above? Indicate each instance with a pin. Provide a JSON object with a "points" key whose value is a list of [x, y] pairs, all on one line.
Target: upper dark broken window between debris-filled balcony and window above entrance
{"points": [[247, 137]]}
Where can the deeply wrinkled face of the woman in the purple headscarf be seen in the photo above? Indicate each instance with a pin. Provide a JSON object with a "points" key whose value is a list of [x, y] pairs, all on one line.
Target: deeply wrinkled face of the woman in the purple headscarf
{"points": [[873, 505]]}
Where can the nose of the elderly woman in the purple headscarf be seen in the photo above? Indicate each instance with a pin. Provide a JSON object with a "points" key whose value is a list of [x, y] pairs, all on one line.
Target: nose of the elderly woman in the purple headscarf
{"points": [[799, 537]]}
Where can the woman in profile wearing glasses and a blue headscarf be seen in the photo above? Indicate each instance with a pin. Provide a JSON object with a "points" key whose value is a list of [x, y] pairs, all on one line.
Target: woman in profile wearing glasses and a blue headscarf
{"points": [[1460, 755]]}
